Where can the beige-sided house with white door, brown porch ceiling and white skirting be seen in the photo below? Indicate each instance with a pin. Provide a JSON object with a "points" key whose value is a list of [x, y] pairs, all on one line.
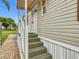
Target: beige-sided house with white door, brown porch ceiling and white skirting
{"points": [[56, 23]]}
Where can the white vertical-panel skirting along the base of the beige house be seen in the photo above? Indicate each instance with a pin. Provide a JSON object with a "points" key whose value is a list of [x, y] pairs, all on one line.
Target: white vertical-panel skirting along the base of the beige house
{"points": [[60, 50]]}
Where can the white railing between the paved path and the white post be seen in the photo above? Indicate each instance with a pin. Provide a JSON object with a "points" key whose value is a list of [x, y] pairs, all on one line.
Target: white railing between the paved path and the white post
{"points": [[22, 34]]}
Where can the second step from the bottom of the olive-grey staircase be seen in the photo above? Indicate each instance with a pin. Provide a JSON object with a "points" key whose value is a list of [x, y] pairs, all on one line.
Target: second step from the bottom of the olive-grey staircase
{"points": [[36, 51]]}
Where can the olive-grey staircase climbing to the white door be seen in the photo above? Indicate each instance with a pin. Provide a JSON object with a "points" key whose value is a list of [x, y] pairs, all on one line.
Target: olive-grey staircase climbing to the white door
{"points": [[36, 48]]}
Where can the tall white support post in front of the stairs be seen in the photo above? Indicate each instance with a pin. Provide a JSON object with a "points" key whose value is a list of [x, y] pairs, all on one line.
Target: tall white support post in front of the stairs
{"points": [[26, 32]]}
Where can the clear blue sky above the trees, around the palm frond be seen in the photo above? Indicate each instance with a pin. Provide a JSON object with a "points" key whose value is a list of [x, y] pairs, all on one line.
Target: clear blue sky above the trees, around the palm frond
{"points": [[13, 13]]}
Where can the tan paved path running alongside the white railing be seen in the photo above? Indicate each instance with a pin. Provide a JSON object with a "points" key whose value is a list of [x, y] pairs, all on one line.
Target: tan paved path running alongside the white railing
{"points": [[9, 49]]}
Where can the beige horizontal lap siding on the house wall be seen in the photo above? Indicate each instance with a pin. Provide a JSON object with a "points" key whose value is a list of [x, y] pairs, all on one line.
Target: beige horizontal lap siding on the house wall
{"points": [[60, 21]]}
